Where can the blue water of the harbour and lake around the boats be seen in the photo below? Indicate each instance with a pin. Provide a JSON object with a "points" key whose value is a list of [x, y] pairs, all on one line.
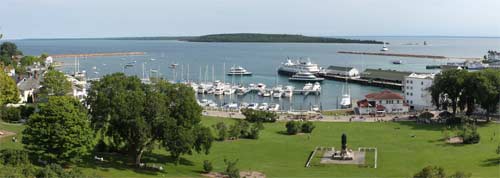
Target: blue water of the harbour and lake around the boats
{"points": [[260, 58]]}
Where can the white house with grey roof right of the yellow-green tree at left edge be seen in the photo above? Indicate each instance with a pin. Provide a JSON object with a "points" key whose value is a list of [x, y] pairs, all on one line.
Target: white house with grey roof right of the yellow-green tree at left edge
{"points": [[28, 87]]}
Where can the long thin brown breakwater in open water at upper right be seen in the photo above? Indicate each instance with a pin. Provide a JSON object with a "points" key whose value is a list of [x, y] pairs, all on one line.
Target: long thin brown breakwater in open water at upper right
{"points": [[405, 55]]}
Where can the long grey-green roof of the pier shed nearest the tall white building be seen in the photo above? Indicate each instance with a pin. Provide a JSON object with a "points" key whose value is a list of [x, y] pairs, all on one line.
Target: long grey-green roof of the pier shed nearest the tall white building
{"points": [[382, 74]]}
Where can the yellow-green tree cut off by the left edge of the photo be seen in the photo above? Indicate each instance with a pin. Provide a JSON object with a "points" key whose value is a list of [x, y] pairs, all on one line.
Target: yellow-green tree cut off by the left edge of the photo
{"points": [[8, 89]]}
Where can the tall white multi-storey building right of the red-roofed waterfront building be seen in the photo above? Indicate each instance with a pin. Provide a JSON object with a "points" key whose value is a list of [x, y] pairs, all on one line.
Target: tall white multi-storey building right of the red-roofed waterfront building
{"points": [[415, 88]]}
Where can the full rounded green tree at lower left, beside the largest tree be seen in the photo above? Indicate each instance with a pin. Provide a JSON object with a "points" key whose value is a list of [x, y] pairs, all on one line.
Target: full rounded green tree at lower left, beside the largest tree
{"points": [[60, 132]]}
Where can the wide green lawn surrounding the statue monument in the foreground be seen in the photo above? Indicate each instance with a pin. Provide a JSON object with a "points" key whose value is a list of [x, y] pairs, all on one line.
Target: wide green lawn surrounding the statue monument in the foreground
{"points": [[279, 155]]}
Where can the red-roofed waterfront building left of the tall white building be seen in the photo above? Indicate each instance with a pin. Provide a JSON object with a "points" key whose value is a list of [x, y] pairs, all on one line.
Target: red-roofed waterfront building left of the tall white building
{"points": [[381, 103]]}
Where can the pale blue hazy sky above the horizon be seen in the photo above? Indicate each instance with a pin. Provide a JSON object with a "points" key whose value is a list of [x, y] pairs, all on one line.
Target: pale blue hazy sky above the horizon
{"points": [[21, 19]]}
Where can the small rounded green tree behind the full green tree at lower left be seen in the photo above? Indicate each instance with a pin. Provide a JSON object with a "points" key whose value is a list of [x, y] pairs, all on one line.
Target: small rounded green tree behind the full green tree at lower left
{"points": [[55, 83]]}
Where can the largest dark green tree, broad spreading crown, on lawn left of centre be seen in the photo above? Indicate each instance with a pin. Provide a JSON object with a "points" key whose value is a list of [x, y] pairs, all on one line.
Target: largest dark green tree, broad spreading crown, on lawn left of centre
{"points": [[133, 116]]}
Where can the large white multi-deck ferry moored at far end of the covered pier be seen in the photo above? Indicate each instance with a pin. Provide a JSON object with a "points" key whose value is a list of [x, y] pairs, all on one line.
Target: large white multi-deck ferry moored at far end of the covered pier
{"points": [[290, 68]]}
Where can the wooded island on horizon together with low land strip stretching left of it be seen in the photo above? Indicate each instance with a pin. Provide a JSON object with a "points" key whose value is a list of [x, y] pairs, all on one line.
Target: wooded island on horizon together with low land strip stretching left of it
{"points": [[241, 38]]}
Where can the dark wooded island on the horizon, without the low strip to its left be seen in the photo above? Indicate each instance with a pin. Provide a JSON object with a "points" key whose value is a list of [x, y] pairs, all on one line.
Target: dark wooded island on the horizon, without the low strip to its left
{"points": [[273, 38]]}
